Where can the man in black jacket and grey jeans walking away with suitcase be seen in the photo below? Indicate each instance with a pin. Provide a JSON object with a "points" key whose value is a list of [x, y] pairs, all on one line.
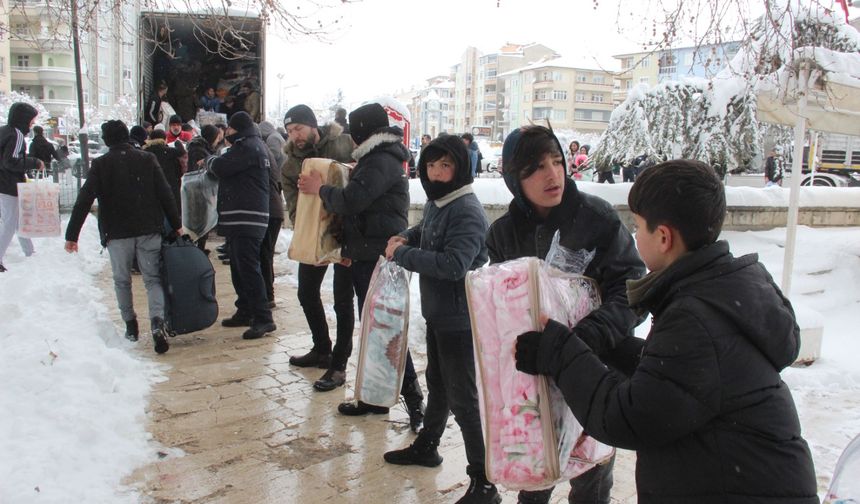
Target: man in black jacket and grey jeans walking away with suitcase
{"points": [[134, 199]]}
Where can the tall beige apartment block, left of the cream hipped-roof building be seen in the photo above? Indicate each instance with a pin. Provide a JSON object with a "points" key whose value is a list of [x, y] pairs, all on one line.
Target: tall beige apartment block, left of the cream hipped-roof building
{"points": [[479, 94]]}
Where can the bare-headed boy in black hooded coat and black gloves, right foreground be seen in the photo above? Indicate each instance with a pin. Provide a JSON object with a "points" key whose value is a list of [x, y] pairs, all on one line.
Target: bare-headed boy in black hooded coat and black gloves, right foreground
{"points": [[705, 408]]}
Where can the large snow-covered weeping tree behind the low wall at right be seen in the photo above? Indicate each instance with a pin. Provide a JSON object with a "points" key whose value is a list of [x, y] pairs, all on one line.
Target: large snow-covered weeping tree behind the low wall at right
{"points": [[715, 120]]}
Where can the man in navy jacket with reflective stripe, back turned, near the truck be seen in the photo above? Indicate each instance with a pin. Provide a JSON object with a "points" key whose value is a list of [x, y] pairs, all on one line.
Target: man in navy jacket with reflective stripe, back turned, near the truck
{"points": [[243, 217]]}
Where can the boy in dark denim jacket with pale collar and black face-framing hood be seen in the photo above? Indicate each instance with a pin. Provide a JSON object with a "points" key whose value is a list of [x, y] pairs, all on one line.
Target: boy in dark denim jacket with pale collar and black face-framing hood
{"points": [[442, 249]]}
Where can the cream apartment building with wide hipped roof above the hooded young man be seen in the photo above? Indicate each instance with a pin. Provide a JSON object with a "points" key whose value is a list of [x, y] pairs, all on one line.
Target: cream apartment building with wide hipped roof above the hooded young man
{"points": [[570, 92]]}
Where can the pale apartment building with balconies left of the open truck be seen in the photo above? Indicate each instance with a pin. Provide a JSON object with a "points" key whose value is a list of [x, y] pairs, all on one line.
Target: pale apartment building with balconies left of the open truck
{"points": [[41, 57]]}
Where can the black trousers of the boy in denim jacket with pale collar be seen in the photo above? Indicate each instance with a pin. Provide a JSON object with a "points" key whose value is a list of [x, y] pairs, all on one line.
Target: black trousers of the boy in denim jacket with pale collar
{"points": [[451, 387]]}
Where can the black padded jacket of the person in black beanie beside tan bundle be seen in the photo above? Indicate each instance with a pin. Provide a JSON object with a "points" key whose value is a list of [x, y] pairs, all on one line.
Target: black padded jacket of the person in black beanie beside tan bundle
{"points": [[375, 202]]}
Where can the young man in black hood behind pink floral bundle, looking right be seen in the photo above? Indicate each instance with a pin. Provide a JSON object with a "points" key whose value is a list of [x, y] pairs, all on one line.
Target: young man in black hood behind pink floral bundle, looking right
{"points": [[546, 201]]}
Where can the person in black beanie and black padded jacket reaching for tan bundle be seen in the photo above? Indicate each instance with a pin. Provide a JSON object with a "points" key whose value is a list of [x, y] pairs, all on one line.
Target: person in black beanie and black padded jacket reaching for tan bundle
{"points": [[374, 205]]}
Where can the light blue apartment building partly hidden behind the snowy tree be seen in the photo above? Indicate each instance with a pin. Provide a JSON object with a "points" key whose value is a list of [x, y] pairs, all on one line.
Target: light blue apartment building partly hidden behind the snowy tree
{"points": [[653, 67]]}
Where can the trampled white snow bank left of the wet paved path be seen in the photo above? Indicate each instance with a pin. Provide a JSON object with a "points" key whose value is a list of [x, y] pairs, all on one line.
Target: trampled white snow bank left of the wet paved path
{"points": [[74, 395]]}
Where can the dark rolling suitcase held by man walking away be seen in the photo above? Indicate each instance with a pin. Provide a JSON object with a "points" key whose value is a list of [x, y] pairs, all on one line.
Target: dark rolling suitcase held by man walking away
{"points": [[188, 279]]}
